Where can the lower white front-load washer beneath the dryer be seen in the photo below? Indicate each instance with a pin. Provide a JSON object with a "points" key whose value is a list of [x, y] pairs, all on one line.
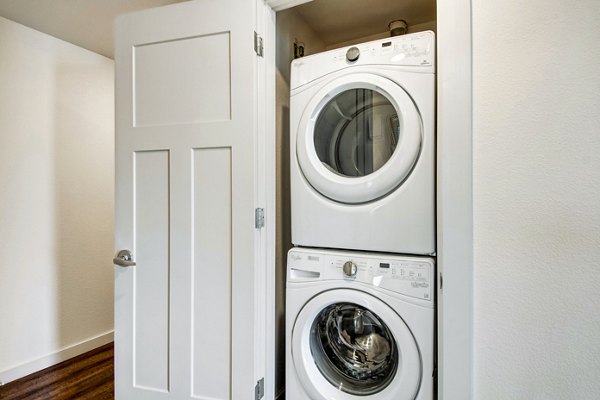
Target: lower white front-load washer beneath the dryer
{"points": [[359, 326]]}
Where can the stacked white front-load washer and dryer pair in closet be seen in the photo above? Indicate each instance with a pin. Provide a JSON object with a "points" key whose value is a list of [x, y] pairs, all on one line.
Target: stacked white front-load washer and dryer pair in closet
{"points": [[360, 311]]}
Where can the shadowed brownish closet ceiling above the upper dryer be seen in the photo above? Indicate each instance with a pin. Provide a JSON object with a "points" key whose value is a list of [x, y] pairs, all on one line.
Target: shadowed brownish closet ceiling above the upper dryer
{"points": [[337, 21]]}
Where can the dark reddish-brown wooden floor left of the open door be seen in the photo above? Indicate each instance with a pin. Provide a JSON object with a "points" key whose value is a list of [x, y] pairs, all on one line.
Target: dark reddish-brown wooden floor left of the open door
{"points": [[89, 376]]}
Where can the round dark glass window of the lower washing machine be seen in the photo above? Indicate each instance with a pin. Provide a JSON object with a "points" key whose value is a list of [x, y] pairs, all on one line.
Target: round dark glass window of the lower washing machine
{"points": [[353, 349]]}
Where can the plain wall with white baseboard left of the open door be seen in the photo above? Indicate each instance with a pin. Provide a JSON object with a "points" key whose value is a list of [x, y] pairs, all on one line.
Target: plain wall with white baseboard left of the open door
{"points": [[56, 202]]}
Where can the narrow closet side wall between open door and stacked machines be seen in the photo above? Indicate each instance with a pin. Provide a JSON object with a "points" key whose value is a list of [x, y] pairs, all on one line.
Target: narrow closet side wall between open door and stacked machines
{"points": [[290, 26]]}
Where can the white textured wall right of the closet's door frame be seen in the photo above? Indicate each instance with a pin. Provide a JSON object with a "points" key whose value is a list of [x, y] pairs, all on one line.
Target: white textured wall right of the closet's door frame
{"points": [[536, 199]]}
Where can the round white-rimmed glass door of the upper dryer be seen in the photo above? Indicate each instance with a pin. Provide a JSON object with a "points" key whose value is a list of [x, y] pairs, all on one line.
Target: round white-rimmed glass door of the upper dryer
{"points": [[359, 138]]}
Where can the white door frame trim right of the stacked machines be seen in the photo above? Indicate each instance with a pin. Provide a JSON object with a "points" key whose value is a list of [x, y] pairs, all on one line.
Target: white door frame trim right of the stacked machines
{"points": [[454, 195]]}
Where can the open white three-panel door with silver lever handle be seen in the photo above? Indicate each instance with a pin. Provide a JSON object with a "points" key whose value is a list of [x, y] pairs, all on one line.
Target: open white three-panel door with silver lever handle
{"points": [[187, 185]]}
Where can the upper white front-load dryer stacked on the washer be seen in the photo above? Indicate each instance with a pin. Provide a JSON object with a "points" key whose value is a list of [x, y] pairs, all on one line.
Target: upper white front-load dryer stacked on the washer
{"points": [[362, 139]]}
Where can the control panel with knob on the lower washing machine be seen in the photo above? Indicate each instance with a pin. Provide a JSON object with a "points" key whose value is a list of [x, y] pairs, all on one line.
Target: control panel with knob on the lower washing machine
{"points": [[410, 276]]}
